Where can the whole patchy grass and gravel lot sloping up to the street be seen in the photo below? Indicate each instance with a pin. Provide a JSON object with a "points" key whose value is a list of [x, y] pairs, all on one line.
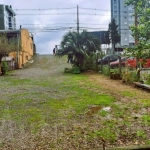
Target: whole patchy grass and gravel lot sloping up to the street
{"points": [[42, 108]]}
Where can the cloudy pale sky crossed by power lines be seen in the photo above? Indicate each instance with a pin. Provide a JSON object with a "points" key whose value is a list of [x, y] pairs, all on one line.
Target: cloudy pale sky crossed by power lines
{"points": [[49, 20]]}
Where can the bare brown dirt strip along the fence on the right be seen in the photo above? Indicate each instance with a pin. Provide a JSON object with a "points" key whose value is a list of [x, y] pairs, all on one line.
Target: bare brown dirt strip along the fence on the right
{"points": [[116, 87]]}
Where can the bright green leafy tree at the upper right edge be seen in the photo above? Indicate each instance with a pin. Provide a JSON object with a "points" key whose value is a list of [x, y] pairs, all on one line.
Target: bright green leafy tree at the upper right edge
{"points": [[140, 32]]}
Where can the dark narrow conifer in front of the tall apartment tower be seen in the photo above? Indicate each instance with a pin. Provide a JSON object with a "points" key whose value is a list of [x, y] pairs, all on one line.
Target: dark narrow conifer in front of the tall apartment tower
{"points": [[113, 32]]}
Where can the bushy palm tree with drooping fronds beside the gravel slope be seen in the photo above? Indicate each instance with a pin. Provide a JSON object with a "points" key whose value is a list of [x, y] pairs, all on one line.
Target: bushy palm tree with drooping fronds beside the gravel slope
{"points": [[80, 45]]}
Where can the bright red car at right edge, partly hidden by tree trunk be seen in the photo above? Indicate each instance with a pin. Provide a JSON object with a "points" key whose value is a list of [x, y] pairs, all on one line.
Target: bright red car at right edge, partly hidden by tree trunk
{"points": [[132, 62]]}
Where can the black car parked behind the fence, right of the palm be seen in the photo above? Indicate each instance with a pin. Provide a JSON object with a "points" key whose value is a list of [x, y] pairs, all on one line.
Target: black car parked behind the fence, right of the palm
{"points": [[107, 59]]}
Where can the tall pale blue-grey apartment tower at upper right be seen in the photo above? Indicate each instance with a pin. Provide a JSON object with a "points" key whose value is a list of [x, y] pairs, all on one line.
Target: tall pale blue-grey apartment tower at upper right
{"points": [[124, 19]]}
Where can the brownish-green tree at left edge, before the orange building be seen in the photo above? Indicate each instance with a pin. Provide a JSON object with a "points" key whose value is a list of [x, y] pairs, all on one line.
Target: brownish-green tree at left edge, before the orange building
{"points": [[7, 45]]}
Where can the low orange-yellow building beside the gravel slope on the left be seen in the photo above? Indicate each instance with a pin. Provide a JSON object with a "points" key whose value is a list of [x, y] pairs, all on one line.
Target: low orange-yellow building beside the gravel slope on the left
{"points": [[26, 46]]}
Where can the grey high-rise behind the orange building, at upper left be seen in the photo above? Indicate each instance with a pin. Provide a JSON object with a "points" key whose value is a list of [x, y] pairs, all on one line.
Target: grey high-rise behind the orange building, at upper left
{"points": [[7, 18]]}
